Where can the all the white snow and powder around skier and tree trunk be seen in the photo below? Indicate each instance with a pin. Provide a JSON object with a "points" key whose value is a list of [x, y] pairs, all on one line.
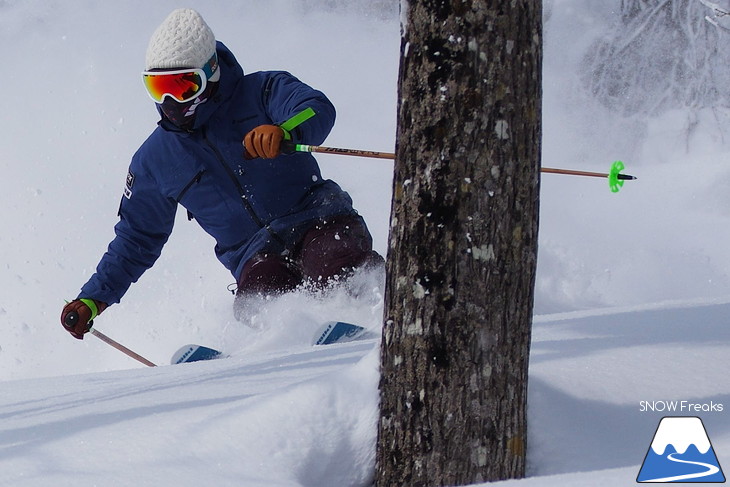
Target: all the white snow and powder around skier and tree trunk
{"points": [[633, 289]]}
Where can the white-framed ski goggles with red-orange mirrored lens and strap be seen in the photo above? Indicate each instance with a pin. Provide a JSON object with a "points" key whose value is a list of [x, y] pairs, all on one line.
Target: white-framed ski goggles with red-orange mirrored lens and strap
{"points": [[182, 85]]}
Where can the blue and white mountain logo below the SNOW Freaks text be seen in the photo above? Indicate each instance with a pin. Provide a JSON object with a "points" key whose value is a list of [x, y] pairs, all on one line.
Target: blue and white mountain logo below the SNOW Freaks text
{"points": [[681, 452]]}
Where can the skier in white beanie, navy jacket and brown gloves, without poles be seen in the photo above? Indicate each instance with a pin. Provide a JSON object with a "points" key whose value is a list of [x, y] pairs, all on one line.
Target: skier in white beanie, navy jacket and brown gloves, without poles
{"points": [[217, 151]]}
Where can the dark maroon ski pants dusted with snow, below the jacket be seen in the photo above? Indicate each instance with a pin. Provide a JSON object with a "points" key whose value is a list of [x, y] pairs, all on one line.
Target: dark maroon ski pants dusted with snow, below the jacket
{"points": [[329, 250]]}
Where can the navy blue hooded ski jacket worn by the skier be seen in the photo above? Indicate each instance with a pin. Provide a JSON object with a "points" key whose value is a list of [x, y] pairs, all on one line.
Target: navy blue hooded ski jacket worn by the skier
{"points": [[247, 206]]}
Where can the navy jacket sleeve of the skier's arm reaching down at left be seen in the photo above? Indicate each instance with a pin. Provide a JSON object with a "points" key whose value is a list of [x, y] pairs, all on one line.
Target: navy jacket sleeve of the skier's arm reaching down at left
{"points": [[146, 218]]}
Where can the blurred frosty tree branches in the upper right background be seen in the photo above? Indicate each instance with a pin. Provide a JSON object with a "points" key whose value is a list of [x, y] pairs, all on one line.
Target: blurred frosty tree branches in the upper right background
{"points": [[662, 55]]}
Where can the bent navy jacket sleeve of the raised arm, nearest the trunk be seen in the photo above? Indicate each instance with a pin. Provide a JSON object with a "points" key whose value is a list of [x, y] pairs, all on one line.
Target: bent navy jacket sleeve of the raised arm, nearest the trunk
{"points": [[286, 96]]}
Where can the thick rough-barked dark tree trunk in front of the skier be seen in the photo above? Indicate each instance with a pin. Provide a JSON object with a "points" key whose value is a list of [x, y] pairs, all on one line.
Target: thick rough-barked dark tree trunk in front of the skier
{"points": [[463, 243]]}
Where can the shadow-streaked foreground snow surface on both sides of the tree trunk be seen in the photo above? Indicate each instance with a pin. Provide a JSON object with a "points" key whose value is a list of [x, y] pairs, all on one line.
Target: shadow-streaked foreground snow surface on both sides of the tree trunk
{"points": [[300, 415]]}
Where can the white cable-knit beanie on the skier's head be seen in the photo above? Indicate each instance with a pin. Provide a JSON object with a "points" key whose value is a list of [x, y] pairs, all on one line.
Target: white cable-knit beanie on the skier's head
{"points": [[183, 40]]}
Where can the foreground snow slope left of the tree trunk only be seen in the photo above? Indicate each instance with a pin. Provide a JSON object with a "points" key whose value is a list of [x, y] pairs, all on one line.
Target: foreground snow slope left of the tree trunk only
{"points": [[271, 419]]}
